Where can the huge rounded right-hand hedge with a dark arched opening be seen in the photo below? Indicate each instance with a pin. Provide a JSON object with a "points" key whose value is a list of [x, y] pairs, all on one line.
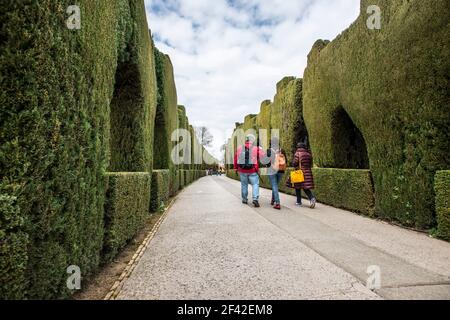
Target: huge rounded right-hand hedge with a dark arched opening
{"points": [[392, 84]]}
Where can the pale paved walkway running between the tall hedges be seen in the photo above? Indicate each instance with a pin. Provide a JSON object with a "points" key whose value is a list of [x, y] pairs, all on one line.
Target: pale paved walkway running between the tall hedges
{"points": [[212, 247]]}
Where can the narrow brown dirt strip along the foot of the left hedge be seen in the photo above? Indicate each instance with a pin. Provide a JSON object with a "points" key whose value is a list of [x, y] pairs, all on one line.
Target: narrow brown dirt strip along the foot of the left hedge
{"points": [[96, 287]]}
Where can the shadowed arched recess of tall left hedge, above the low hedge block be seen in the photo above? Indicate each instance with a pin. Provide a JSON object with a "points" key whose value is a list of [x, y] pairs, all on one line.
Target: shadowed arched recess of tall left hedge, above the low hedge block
{"points": [[134, 102]]}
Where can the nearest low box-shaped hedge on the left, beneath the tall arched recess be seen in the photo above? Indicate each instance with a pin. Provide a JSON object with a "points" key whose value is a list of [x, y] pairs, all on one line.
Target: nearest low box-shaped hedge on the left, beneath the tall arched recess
{"points": [[126, 210]]}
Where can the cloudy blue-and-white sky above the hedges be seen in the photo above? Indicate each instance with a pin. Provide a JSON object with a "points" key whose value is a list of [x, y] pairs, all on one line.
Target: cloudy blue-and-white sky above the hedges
{"points": [[228, 55]]}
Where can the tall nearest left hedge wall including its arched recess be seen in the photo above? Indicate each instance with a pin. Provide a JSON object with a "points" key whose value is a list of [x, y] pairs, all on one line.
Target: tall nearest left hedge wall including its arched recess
{"points": [[57, 132]]}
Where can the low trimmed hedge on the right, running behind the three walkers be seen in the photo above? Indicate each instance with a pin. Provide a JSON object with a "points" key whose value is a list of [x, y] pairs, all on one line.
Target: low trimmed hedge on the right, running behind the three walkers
{"points": [[341, 188]]}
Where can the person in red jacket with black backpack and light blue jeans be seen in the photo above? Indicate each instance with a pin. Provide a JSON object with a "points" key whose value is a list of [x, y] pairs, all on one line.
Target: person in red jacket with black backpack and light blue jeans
{"points": [[246, 163]]}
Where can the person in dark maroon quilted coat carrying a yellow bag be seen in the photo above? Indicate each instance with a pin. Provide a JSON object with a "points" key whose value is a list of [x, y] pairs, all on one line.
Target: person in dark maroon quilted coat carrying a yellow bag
{"points": [[303, 156]]}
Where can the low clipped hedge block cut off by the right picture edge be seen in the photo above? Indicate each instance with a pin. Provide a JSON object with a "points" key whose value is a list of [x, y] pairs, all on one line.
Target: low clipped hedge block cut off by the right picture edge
{"points": [[442, 190]]}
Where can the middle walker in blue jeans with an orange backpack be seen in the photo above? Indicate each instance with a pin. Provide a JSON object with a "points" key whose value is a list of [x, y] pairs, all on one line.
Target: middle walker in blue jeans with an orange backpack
{"points": [[276, 169]]}
